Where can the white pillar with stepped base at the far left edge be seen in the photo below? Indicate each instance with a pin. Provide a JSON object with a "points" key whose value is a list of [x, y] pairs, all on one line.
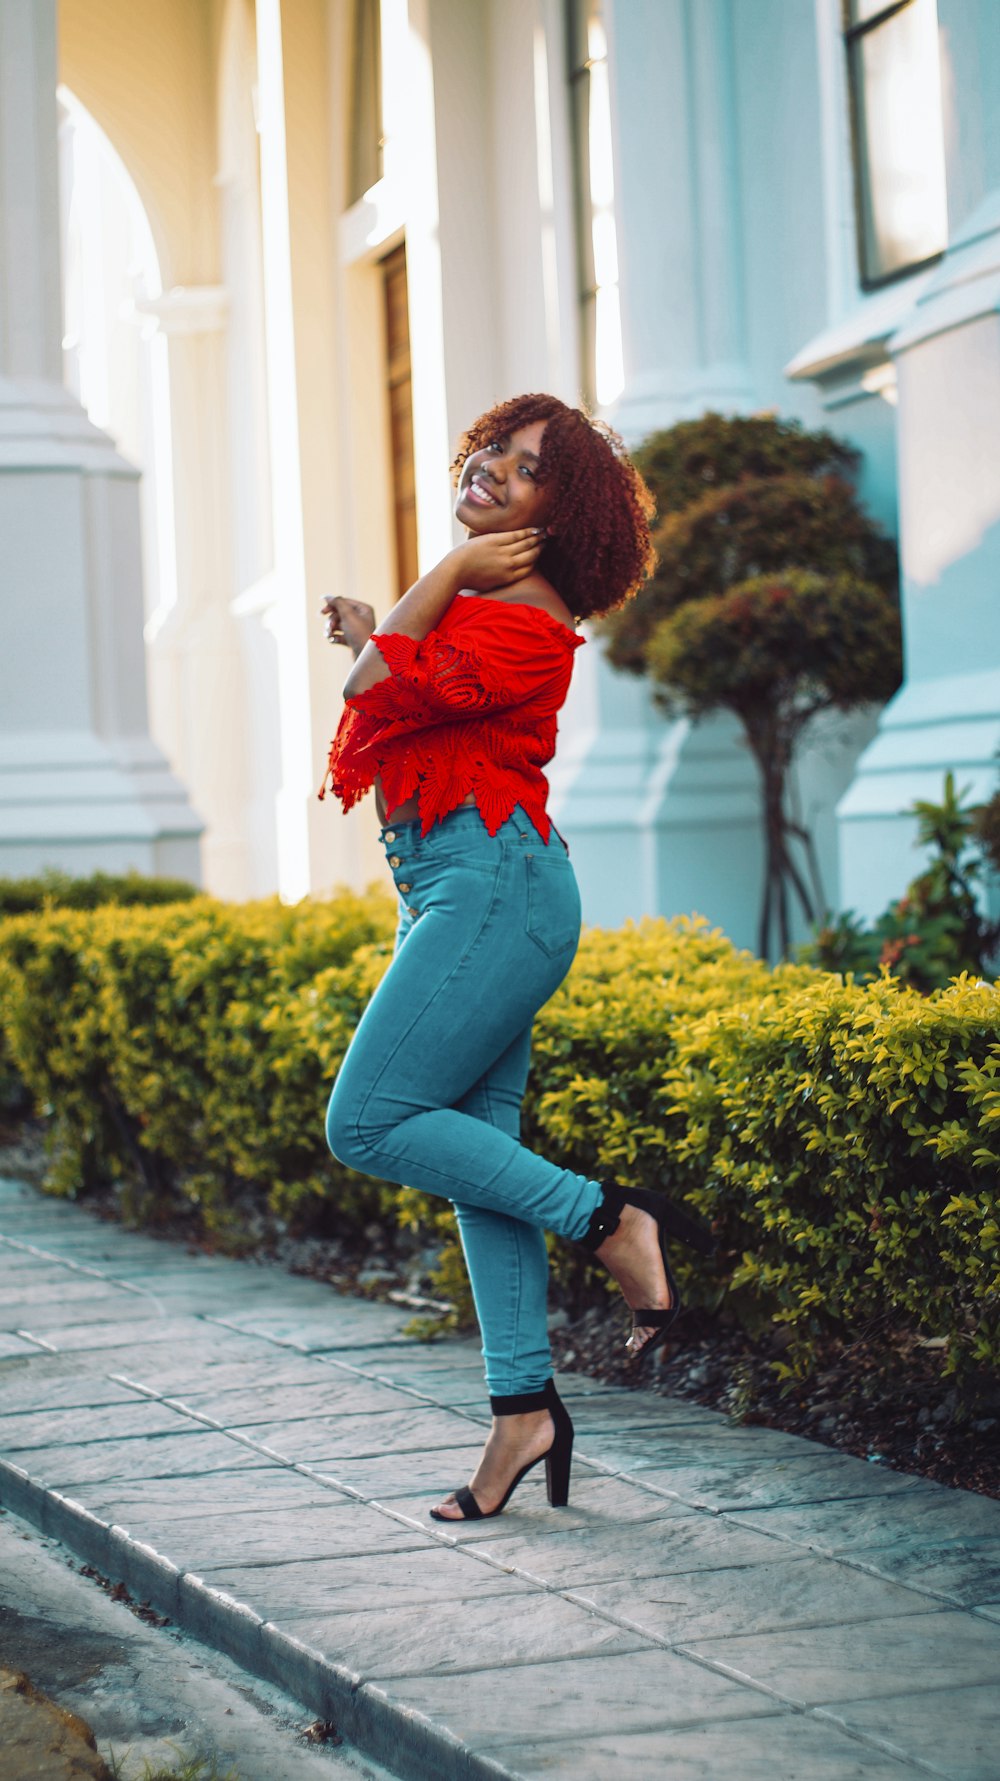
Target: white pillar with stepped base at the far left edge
{"points": [[81, 783]]}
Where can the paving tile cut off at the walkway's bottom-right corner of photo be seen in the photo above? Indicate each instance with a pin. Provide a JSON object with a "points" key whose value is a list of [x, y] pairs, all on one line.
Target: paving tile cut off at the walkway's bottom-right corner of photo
{"points": [[953, 1730]]}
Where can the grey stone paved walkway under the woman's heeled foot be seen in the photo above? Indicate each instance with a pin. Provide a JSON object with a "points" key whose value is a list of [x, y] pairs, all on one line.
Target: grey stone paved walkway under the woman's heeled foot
{"points": [[256, 1456]]}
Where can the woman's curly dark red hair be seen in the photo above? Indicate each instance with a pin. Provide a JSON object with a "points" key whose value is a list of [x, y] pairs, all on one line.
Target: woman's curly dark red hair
{"points": [[602, 551]]}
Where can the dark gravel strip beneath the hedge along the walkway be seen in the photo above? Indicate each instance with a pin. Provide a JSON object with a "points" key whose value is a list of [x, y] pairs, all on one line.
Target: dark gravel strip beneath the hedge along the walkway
{"points": [[880, 1395]]}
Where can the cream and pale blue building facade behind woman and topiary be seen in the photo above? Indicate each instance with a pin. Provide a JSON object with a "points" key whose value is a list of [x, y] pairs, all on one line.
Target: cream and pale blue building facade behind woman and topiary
{"points": [[306, 243]]}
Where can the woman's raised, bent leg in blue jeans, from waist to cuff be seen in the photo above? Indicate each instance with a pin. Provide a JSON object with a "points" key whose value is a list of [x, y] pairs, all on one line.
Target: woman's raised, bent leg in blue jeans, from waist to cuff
{"points": [[468, 980]]}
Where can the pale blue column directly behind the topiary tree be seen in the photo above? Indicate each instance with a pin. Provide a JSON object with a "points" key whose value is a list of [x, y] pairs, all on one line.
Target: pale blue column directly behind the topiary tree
{"points": [[666, 817]]}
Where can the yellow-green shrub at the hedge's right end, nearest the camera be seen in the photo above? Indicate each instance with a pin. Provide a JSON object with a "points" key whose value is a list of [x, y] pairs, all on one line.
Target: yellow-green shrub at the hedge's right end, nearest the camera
{"points": [[848, 1144]]}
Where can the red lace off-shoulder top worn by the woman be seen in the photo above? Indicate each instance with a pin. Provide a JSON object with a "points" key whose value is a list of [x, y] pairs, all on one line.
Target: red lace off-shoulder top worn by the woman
{"points": [[471, 708]]}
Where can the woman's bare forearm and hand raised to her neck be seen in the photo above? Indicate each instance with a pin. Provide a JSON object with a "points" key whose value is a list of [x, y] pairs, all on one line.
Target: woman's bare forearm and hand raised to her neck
{"points": [[486, 562]]}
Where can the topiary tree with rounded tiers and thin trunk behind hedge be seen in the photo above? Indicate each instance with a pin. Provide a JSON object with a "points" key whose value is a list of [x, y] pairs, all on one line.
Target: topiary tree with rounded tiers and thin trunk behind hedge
{"points": [[775, 598]]}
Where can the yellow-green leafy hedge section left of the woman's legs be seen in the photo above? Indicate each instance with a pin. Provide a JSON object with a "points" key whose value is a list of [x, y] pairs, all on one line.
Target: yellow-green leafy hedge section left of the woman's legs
{"points": [[188, 1052]]}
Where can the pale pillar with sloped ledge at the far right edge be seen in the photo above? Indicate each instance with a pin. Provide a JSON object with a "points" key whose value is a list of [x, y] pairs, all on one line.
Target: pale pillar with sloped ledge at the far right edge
{"points": [[947, 361]]}
